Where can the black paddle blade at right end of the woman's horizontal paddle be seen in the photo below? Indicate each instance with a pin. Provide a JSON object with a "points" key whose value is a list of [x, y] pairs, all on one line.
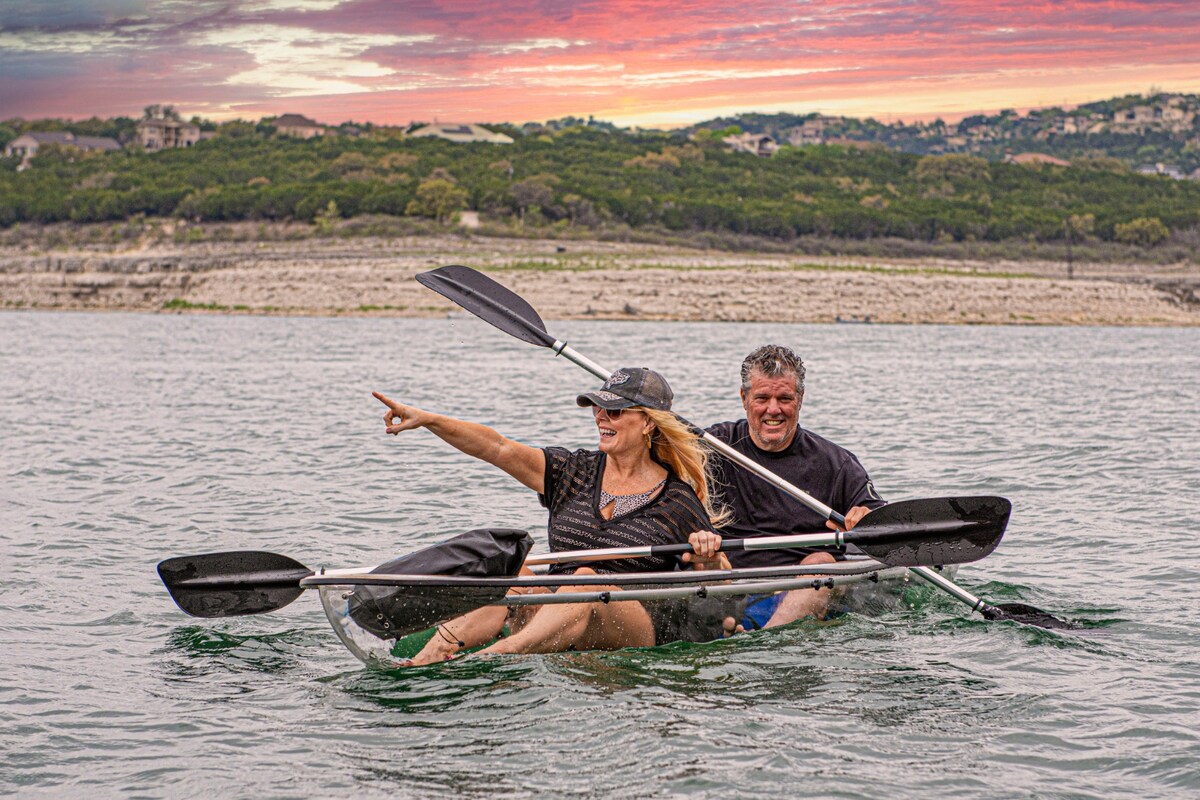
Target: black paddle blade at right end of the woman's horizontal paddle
{"points": [[933, 531]]}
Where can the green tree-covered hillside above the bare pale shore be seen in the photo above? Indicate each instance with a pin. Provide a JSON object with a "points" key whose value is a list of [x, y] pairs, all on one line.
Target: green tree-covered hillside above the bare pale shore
{"points": [[590, 178]]}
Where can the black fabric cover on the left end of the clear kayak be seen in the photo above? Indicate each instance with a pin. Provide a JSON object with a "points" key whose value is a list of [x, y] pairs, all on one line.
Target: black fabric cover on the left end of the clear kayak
{"points": [[389, 612]]}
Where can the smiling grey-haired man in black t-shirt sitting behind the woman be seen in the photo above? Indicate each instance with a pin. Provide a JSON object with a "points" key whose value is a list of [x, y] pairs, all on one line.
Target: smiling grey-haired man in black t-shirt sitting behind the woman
{"points": [[772, 395]]}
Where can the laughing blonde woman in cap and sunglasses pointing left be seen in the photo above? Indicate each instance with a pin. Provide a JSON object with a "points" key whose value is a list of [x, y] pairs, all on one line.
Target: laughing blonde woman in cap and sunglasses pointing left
{"points": [[645, 485]]}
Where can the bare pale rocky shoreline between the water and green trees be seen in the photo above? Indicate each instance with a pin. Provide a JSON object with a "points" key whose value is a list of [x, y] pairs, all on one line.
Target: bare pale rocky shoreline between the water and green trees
{"points": [[592, 280]]}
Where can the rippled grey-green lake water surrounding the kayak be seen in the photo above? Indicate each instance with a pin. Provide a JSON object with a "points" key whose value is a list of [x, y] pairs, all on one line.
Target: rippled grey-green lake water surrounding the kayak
{"points": [[127, 440]]}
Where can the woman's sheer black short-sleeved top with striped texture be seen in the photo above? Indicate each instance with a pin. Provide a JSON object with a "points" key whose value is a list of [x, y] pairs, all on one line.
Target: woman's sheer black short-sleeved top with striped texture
{"points": [[573, 496]]}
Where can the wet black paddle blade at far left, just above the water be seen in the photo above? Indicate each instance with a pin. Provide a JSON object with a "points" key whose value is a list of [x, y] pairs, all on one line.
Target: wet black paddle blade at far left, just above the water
{"points": [[232, 585]]}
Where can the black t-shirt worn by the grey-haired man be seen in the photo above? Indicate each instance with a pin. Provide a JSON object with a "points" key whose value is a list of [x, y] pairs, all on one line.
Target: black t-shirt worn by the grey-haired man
{"points": [[829, 473]]}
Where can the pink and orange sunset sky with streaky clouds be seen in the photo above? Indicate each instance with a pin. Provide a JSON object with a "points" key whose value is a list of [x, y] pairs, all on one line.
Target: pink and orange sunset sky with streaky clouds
{"points": [[650, 64]]}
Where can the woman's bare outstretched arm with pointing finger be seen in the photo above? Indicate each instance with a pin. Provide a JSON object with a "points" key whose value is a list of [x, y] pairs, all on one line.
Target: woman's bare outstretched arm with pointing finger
{"points": [[523, 462]]}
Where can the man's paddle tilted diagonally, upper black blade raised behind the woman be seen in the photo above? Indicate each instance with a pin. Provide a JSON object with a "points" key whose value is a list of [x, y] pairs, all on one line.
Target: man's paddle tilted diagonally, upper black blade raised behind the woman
{"points": [[509, 312]]}
